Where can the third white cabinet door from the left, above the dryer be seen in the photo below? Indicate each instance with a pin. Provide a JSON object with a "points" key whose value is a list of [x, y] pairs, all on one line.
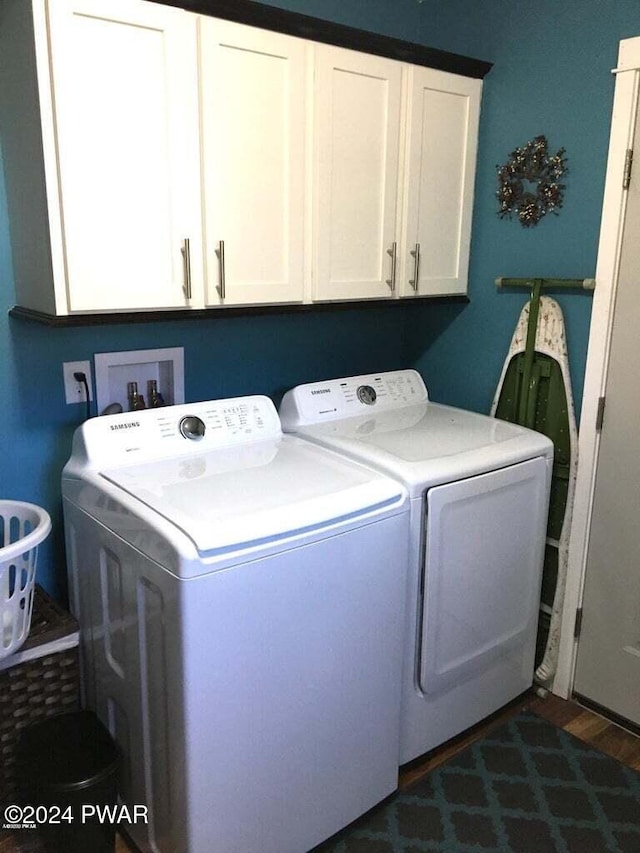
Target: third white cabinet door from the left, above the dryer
{"points": [[357, 125]]}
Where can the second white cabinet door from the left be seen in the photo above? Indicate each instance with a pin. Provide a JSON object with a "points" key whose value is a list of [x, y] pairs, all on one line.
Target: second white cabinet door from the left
{"points": [[253, 105]]}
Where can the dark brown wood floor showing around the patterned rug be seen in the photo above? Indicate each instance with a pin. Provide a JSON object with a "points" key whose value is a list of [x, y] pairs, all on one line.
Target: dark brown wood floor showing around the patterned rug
{"points": [[584, 724]]}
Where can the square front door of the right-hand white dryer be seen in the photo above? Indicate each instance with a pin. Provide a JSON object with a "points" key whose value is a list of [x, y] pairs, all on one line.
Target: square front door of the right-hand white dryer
{"points": [[484, 549]]}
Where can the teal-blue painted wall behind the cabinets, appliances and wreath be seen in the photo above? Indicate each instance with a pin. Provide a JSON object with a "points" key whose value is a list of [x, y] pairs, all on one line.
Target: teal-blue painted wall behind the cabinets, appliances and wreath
{"points": [[551, 76]]}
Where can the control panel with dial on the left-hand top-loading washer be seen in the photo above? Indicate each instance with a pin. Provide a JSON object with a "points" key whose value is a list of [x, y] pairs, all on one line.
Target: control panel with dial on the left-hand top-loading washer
{"points": [[176, 430]]}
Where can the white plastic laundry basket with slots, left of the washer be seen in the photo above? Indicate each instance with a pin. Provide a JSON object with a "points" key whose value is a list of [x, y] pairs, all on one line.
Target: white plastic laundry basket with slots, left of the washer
{"points": [[23, 527]]}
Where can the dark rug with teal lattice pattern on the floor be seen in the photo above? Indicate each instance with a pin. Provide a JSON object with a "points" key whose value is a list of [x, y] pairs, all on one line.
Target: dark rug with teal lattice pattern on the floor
{"points": [[526, 787]]}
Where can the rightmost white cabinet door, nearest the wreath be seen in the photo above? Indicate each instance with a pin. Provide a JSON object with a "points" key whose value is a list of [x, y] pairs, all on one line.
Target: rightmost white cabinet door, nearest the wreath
{"points": [[442, 129]]}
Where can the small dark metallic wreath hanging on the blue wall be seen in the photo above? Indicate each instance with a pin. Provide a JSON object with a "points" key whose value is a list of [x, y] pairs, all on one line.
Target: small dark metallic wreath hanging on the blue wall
{"points": [[528, 183]]}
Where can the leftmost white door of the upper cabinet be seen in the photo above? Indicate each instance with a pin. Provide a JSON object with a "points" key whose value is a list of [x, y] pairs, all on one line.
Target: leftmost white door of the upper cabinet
{"points": [[125, 90]]}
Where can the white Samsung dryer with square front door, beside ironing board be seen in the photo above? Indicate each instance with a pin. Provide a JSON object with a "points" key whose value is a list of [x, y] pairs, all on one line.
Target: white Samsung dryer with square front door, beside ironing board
{"points": [[479, 490]]}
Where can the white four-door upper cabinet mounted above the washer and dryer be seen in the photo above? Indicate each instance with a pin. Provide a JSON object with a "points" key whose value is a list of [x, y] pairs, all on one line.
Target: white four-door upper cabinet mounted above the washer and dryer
{"points": [[157, 159]]}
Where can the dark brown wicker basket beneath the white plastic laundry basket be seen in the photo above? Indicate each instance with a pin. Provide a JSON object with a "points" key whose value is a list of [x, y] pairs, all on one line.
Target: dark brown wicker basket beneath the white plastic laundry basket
{"points": [[41, 679]]}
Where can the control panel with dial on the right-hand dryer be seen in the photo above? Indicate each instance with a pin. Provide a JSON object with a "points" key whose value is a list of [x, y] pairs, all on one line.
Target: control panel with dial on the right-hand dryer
{"points": [[351, 396]]}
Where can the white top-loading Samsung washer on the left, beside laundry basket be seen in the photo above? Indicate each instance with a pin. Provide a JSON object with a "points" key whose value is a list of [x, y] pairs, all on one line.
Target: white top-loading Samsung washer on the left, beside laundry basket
{"points": [[240, 597]]}
